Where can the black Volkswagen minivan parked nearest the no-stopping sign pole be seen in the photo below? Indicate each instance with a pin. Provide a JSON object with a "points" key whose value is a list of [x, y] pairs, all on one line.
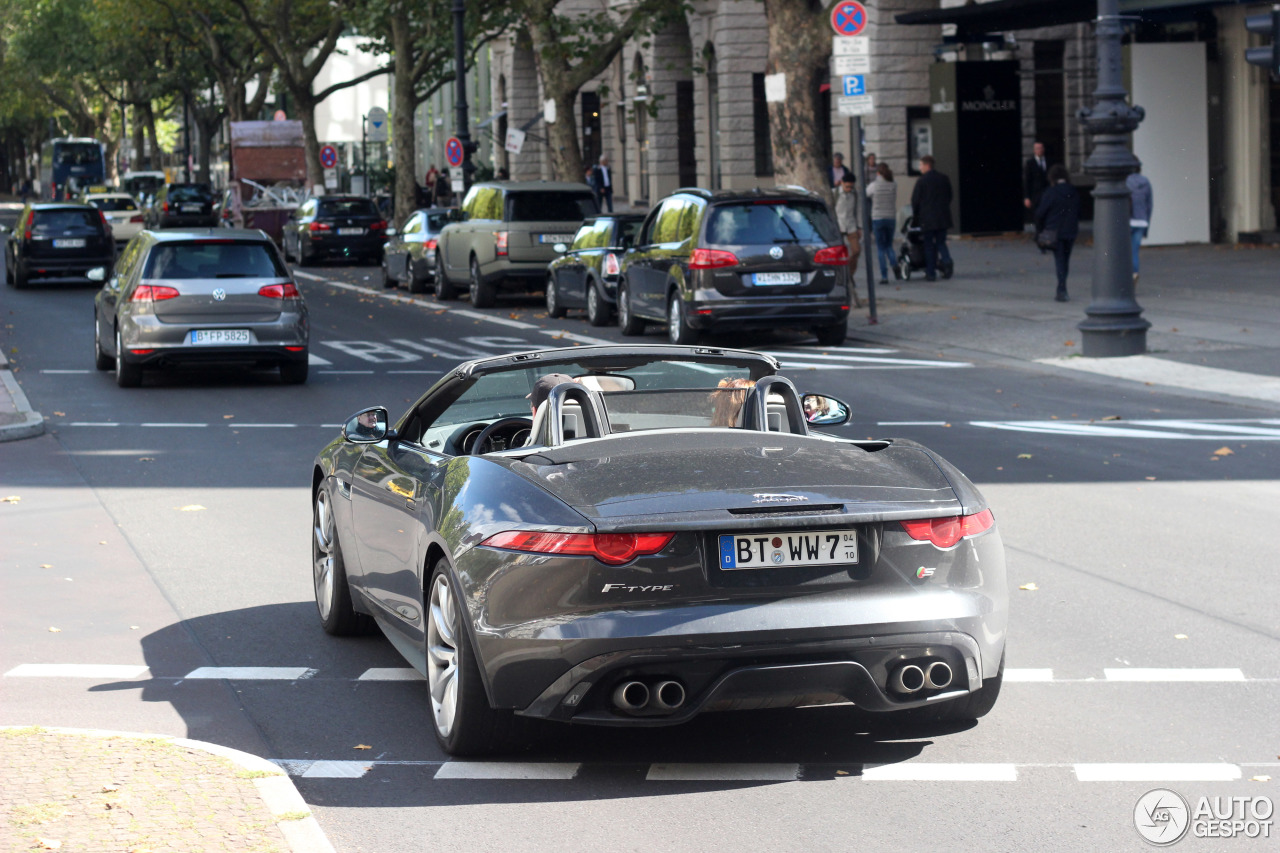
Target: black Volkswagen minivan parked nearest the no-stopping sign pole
{"points": [[729, 261]]}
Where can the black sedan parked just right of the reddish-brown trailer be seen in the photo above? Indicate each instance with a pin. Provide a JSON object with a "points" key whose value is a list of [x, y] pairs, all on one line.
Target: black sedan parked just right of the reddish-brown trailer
{"points": [[335, 227]]}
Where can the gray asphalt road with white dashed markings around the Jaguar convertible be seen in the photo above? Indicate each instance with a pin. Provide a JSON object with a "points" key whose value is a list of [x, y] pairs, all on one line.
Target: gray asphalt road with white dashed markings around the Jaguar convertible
{"points": [[1146, 651]]}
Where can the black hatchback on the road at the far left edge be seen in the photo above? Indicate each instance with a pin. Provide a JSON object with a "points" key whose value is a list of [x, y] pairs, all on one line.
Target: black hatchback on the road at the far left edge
{"points": [[58, 241]]}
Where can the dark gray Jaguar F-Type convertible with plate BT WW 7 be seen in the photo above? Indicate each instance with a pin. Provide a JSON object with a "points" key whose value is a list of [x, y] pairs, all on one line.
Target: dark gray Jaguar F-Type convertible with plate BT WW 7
{"points": [[665, 536]]}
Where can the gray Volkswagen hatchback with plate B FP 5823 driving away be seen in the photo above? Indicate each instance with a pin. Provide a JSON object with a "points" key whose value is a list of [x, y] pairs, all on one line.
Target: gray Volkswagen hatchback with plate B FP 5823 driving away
{"points": [[198, 298]]}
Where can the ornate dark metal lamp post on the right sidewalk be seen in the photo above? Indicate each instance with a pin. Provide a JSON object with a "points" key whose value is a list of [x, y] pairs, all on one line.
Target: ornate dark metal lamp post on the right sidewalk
{"points": [[1114, 325]]}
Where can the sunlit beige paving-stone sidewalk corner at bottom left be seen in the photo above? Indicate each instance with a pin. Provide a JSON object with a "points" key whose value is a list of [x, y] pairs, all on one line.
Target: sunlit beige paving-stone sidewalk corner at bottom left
{"points": [[88, 792]]}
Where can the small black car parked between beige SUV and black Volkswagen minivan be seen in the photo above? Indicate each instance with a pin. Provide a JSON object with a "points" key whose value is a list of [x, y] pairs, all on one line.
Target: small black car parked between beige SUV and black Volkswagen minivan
{"points": [[587, 272]]}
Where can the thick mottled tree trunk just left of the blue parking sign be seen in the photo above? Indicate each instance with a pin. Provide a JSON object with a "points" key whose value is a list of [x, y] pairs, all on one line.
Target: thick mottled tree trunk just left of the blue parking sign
{"points": [[799, 48]]}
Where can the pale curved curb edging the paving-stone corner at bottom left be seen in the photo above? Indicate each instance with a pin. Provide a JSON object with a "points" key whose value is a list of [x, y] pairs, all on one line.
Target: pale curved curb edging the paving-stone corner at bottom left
{"points": [[277, 791]]}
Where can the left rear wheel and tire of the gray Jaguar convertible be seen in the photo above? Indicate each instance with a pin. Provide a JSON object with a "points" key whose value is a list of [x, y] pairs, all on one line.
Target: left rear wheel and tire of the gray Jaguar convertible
{"points": [[476, 728]]}
